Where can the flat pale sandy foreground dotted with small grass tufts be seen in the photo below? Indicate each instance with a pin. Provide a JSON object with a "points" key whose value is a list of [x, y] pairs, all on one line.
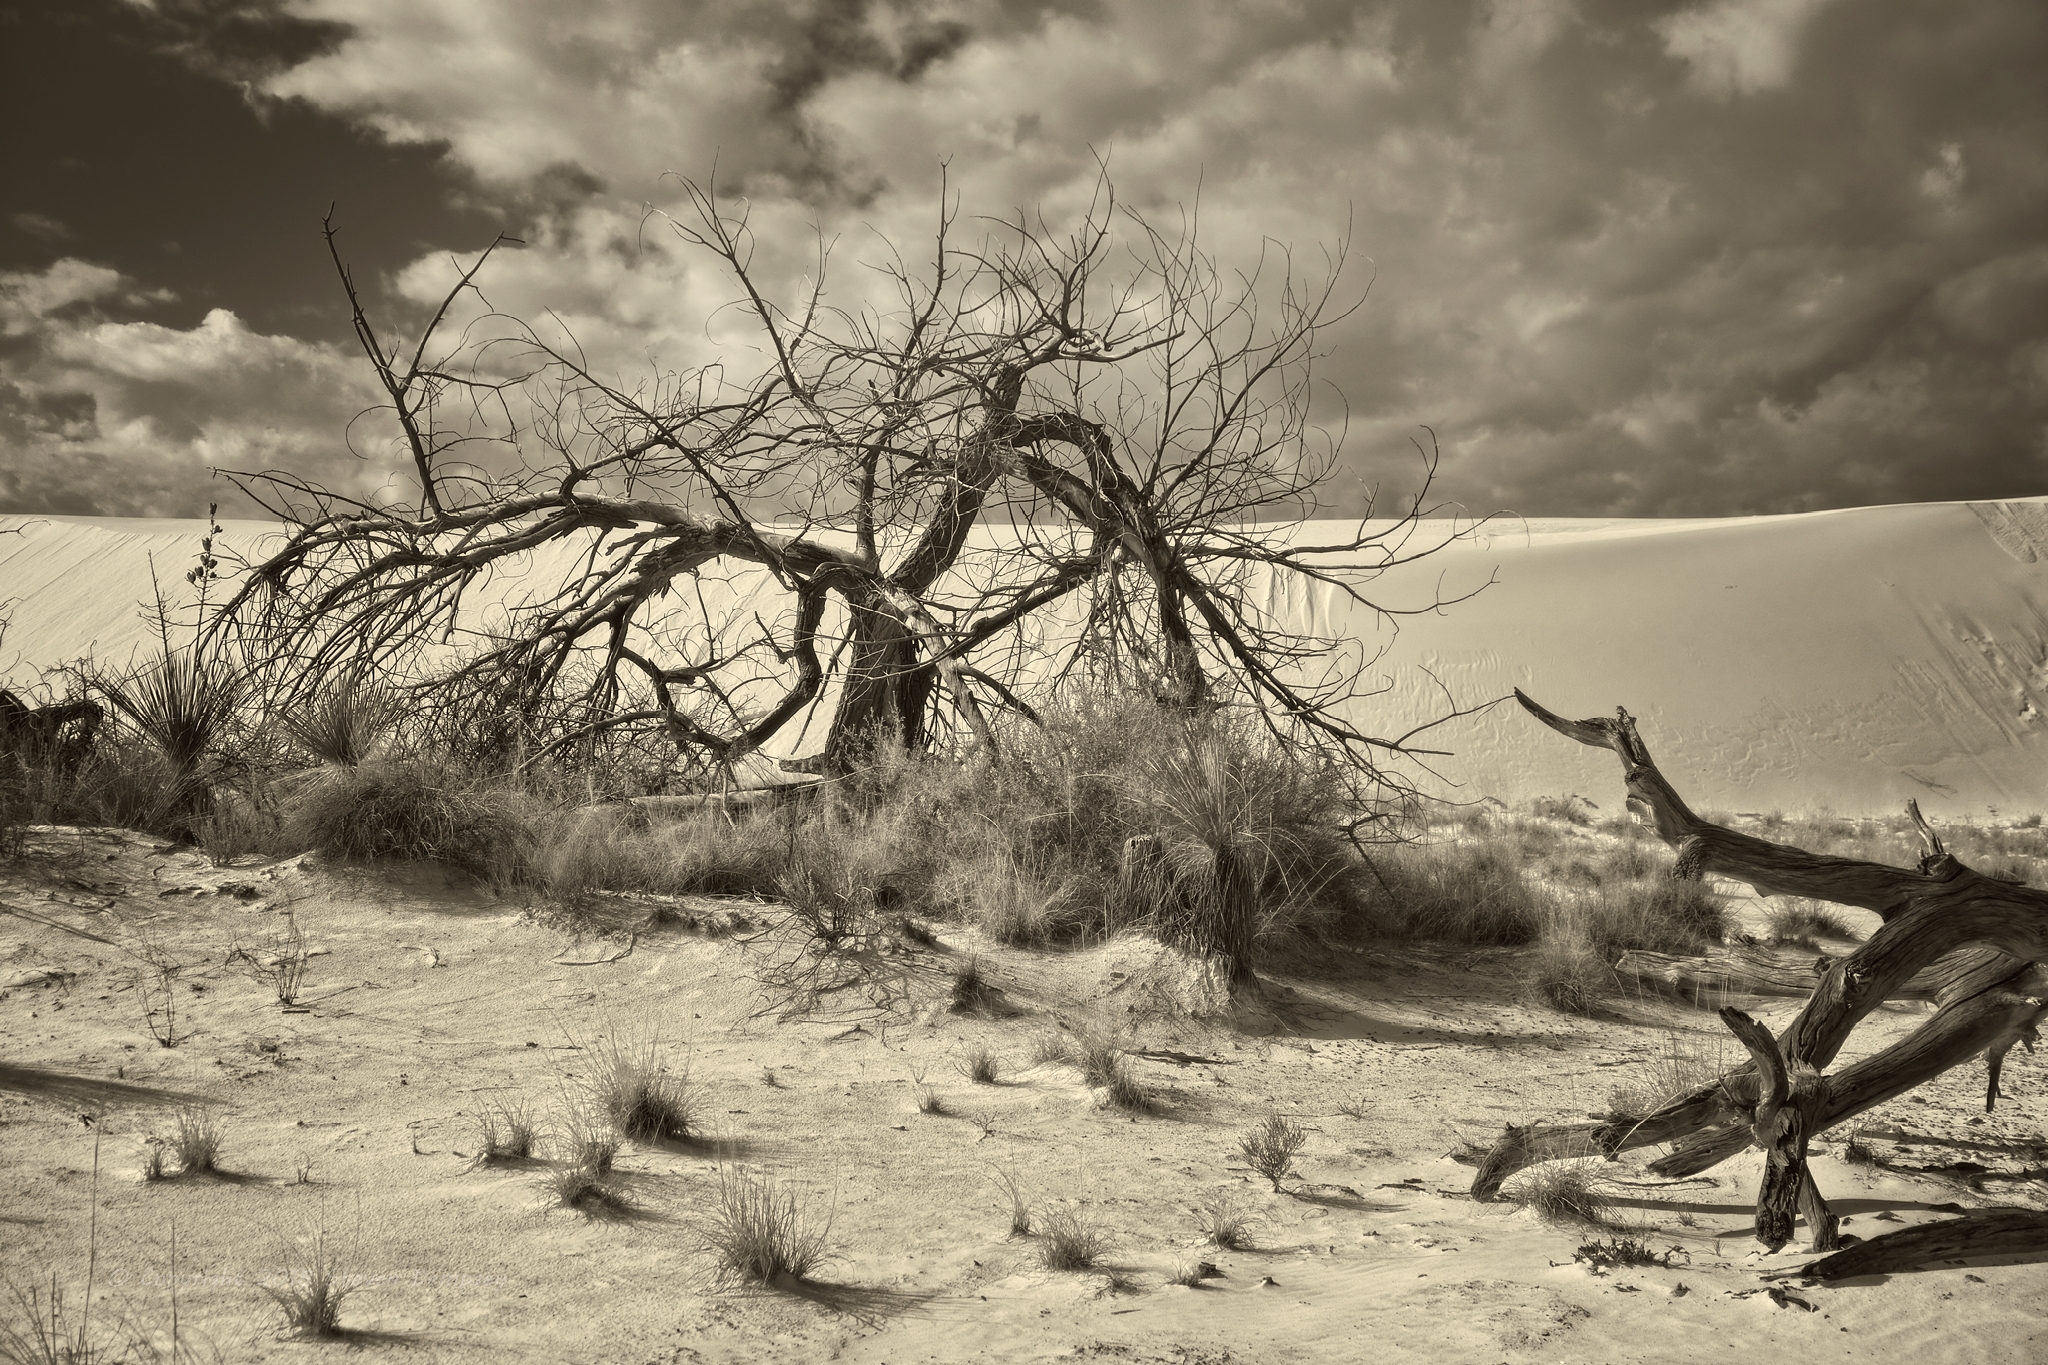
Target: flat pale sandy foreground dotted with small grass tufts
{"points": [[429, 1000]]}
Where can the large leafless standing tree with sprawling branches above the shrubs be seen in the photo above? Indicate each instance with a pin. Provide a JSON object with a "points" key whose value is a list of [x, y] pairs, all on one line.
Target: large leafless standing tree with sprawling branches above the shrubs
{"points": [[1048, 453]]}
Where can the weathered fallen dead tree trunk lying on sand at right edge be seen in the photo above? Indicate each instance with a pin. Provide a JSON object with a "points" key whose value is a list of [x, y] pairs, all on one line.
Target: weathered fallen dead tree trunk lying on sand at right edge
{"points": [[1973, 940]]}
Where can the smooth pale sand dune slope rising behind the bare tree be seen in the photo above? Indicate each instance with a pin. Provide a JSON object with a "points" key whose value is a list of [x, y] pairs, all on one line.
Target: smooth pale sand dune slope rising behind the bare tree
{"points": [[1842, 658]]}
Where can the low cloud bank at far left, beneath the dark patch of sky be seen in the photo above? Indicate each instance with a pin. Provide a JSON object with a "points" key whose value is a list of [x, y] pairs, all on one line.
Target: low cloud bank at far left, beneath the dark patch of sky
{"points": [[103, 416]]}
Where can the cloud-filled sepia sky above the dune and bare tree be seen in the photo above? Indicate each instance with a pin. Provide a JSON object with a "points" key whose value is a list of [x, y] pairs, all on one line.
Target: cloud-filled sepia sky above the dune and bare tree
{"points": [[1625, 259]]}
